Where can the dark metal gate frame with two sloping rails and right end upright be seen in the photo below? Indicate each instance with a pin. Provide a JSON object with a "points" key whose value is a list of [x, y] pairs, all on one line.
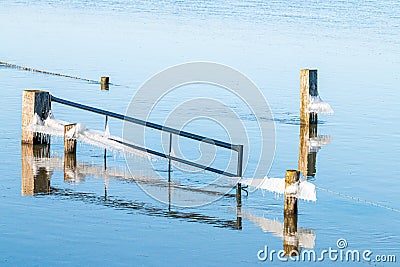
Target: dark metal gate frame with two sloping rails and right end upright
{"points": [[237, 148]]}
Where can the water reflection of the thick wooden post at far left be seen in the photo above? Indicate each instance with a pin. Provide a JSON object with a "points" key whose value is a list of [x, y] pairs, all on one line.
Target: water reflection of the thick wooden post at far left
{"points": [[34, 180]]}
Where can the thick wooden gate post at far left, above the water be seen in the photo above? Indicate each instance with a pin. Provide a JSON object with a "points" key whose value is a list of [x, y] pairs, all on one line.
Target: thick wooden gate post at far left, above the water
{"points": [[34, 102]]}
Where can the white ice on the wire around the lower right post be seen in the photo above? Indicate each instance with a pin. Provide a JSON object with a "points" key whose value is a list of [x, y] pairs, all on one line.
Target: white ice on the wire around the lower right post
{"points": [[302, 190]]}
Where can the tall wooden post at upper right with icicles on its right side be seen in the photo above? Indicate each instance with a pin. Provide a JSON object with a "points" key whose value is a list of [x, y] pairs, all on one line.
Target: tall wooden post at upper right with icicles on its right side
{"points": [[308, 87]]}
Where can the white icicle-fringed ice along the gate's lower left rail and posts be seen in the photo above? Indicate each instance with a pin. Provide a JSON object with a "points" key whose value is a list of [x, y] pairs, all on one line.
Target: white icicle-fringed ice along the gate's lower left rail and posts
{"points": [[102, 139]]}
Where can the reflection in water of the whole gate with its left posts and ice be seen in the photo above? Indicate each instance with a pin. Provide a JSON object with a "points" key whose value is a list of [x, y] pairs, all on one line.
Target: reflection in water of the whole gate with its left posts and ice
{"points": [[38, 167]]}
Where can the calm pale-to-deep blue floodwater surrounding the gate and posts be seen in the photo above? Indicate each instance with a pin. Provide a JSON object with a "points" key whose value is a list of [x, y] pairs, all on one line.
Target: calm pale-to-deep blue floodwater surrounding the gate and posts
{"points": [[97, 218]]}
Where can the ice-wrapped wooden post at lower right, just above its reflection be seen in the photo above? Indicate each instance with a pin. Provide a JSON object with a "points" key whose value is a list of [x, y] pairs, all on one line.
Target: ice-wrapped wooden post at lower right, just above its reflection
{"points": [[290, 198]]}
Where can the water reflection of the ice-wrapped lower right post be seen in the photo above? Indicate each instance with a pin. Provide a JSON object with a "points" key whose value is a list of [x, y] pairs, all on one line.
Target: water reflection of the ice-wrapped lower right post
{"points": [[290, 237]]}
